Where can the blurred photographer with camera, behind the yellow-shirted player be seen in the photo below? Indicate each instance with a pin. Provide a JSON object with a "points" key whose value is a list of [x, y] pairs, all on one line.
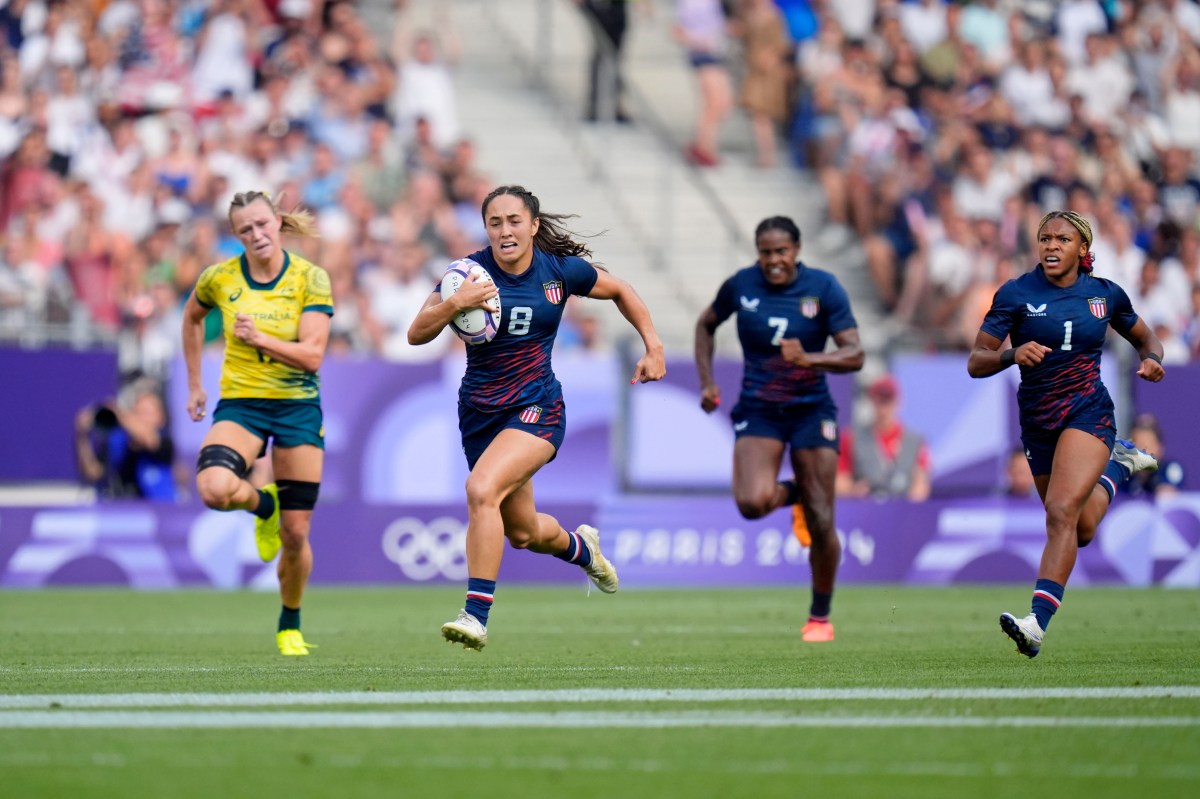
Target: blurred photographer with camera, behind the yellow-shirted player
{"points": [[124, 447]]}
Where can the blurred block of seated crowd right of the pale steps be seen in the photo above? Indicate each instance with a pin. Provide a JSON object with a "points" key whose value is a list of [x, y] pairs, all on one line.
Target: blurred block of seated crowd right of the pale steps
{"points": [[944, 131]]}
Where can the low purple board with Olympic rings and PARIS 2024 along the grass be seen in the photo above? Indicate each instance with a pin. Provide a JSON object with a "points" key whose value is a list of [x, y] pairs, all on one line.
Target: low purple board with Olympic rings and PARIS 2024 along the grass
{"points": [[655, 542]]}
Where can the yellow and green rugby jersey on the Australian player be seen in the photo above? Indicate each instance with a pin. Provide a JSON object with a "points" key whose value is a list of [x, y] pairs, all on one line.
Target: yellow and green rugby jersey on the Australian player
{"points": [[277, 309]]}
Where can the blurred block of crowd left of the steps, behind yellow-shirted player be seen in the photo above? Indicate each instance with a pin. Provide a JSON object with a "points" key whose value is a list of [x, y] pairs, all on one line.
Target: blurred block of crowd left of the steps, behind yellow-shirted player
{"points": [[127, 128]]}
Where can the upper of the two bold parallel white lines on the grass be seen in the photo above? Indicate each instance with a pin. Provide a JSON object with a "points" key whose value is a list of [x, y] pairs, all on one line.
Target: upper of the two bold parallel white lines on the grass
{"points": [[281, 700]]}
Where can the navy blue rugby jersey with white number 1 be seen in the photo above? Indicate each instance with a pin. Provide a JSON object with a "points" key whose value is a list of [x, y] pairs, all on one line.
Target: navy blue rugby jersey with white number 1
{"points": [[1073, 323]]}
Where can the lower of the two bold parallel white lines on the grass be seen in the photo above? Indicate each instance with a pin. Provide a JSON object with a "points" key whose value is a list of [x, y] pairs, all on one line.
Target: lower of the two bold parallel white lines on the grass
{"points": [[377, 720]]}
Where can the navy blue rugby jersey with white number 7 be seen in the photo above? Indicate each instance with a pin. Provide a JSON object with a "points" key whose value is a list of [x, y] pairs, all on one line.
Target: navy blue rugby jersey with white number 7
{"points": [[812, 309]]}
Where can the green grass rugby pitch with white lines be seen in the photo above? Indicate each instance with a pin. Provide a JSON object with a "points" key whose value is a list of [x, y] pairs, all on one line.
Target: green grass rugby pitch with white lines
{"points": [[644, 694]]}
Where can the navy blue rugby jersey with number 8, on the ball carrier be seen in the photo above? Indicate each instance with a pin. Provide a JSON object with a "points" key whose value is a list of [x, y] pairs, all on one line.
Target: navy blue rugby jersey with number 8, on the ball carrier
{"points": [[514, 369]]}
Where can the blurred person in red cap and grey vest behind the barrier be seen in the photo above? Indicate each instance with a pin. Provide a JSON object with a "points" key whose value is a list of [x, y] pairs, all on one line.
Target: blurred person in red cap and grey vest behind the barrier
{"points": [[884, 459]]}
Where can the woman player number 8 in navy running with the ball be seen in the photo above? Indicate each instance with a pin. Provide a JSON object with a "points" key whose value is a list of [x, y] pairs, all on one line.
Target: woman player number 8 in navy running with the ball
{"points": [[511, 404]]}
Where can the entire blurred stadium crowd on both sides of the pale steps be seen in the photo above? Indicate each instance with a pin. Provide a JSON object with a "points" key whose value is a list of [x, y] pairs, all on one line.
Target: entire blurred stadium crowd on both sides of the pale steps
{"points": [[940, 131]]}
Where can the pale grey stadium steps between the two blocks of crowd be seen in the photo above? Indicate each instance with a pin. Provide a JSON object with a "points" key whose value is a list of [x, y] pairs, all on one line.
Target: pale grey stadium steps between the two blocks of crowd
{"points": [[674, 231]]}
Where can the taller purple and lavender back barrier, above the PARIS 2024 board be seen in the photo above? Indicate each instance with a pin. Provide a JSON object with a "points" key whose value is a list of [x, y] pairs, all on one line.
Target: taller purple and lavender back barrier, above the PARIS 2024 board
{"points": [[392, 430]]}
